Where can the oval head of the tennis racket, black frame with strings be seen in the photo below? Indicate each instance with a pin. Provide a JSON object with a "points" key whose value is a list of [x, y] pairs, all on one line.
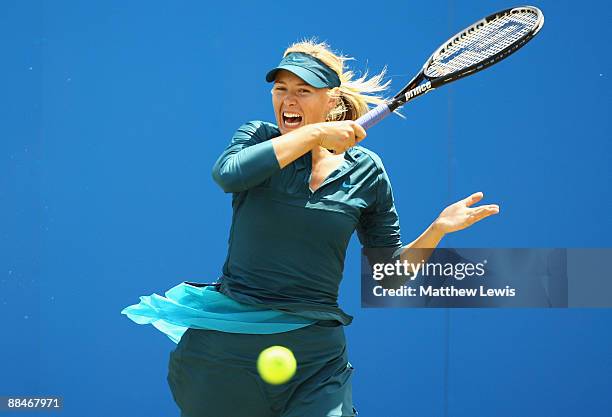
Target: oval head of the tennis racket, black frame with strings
{"points": [[483, 44]]}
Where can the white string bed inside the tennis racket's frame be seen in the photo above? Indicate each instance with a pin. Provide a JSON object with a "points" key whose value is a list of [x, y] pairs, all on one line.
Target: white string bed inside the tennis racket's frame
{"points": [[482, 41]]}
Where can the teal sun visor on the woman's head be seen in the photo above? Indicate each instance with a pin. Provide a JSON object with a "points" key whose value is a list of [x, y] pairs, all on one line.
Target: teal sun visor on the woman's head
{"points": [[308, 68]]}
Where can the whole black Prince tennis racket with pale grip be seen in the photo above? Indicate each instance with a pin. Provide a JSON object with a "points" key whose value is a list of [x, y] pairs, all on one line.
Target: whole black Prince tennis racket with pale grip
{"points": [[481, 45]]}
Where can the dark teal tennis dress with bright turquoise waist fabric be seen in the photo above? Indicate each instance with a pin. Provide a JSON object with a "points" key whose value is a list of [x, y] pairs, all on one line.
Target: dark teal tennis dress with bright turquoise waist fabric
{"points": [[279, 284]]}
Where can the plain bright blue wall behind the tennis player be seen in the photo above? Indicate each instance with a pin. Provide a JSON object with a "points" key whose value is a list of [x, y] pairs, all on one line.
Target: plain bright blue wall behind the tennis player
{"points": [[112, 114]]}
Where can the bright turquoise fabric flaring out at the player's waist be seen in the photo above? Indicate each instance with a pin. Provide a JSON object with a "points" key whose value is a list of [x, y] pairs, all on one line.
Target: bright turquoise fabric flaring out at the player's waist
{"points": [[202, 306]]}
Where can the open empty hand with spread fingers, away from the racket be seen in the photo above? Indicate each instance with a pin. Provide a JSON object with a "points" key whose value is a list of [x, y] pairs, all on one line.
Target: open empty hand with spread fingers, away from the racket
{"points": [[461, 215]]}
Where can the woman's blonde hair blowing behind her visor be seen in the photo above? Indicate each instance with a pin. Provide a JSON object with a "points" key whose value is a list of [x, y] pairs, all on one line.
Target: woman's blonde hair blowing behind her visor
{"points": [[354, 95]]}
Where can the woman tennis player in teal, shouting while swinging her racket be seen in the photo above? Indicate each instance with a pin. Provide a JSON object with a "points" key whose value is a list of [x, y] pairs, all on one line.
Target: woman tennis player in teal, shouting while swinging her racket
{"points": [[300, 188]]}
